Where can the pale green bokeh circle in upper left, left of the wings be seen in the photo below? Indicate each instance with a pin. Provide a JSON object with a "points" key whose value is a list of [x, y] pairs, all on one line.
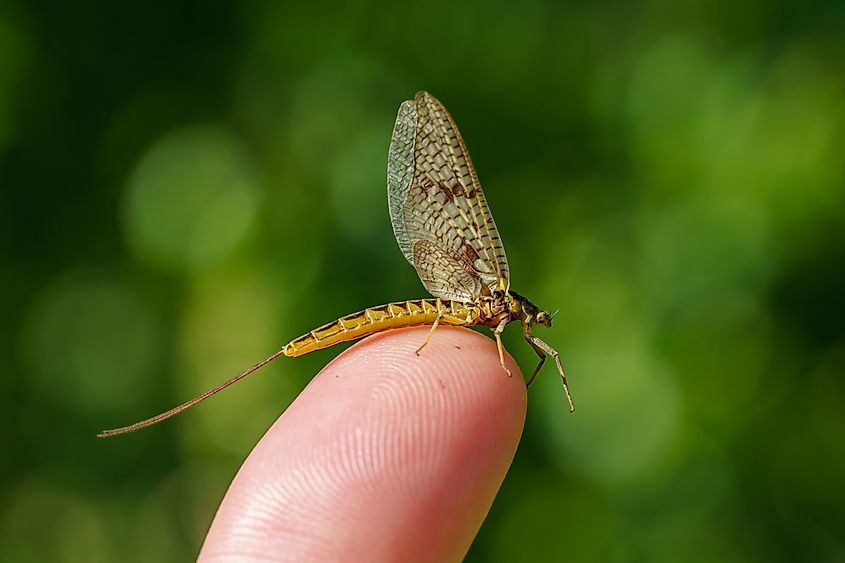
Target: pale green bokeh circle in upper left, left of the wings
{"points": [[191, 199]]}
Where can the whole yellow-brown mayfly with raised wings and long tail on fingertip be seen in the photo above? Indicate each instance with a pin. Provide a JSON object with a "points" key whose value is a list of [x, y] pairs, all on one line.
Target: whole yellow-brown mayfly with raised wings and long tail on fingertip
{"points": [[445, 230]]}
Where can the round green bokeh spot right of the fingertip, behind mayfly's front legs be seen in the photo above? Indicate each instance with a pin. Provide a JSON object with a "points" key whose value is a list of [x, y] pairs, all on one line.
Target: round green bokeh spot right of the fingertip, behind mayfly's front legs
{"points": [[627, 411]]}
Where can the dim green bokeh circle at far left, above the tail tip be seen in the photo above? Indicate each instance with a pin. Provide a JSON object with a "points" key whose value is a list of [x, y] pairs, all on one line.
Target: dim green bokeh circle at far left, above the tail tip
{"points": [[91, 344]]}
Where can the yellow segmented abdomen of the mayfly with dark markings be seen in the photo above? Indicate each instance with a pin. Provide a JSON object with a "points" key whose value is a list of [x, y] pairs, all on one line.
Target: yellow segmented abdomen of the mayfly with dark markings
{"points": [[376, 319]]}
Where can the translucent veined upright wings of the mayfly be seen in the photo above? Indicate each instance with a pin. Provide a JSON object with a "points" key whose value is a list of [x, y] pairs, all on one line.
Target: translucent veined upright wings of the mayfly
{"points": [[440, 216]]}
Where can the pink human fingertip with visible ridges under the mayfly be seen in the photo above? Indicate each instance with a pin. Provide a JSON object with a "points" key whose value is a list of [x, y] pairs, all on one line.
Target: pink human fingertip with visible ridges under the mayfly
{"points": [[385, 456]]}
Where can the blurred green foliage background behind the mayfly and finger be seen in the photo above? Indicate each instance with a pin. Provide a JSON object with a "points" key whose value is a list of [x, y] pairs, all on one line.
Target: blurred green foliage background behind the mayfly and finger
{"points": [[185, 187]]}
